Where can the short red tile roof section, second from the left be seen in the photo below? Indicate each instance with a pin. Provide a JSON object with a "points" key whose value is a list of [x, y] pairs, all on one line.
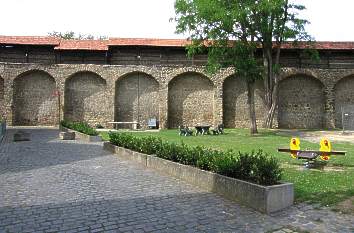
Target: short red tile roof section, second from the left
{"points": [[82, 45]]}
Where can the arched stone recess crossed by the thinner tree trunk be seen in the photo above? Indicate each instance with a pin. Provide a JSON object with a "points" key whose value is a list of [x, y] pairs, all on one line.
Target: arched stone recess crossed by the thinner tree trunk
{"points": [[235, 107]]}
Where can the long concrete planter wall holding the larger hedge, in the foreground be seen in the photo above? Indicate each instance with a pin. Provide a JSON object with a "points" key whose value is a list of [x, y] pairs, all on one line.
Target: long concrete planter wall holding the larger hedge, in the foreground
{"points": [[266, 199]]}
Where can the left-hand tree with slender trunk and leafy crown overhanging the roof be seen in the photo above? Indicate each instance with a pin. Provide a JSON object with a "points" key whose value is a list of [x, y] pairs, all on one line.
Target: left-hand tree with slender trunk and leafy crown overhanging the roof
{"points": [[223, 28]]}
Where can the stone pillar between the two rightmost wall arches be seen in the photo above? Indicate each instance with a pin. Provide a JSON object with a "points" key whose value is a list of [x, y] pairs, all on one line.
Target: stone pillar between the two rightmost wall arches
{"points": [[329, 118]]}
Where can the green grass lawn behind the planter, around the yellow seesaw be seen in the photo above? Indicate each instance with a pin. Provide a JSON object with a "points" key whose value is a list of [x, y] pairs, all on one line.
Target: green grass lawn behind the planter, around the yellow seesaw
{"points": [[327, 187]]}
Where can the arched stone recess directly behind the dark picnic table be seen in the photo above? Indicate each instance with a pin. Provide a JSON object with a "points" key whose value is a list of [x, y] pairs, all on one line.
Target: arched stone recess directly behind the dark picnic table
{"points": [[190, 100]]}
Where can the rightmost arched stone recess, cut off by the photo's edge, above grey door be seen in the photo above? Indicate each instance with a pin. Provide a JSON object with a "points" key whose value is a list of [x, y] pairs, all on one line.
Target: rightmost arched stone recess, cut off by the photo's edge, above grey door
{"points": [[344, 96]]}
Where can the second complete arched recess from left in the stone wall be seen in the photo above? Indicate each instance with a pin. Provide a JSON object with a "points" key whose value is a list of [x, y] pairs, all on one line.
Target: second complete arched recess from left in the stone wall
{"points": [[84, 98]]}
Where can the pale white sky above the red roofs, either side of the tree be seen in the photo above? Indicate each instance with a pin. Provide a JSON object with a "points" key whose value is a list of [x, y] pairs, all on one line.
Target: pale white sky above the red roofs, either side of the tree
{"points": [[330, 20]]}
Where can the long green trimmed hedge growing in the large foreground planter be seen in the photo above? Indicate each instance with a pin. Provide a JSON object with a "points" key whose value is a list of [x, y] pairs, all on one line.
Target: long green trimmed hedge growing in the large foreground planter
{"points": [[255, 167]]}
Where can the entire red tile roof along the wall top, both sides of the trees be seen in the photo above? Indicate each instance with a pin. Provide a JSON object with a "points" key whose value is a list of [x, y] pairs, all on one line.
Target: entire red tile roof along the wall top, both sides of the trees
{"points": [[103, 45]]}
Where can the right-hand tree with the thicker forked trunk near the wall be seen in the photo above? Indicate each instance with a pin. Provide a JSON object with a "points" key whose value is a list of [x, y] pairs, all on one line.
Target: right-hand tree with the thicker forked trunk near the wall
{"points": [[275, 22]]}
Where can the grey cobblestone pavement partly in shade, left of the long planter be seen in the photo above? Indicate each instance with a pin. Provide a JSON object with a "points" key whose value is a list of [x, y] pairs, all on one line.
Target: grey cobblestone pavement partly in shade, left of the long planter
{"points": [[48, 185]]}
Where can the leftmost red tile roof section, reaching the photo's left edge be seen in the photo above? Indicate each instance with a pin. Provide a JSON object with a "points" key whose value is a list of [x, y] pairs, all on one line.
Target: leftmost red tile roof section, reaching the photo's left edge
{"points": [[29, 40]]}
